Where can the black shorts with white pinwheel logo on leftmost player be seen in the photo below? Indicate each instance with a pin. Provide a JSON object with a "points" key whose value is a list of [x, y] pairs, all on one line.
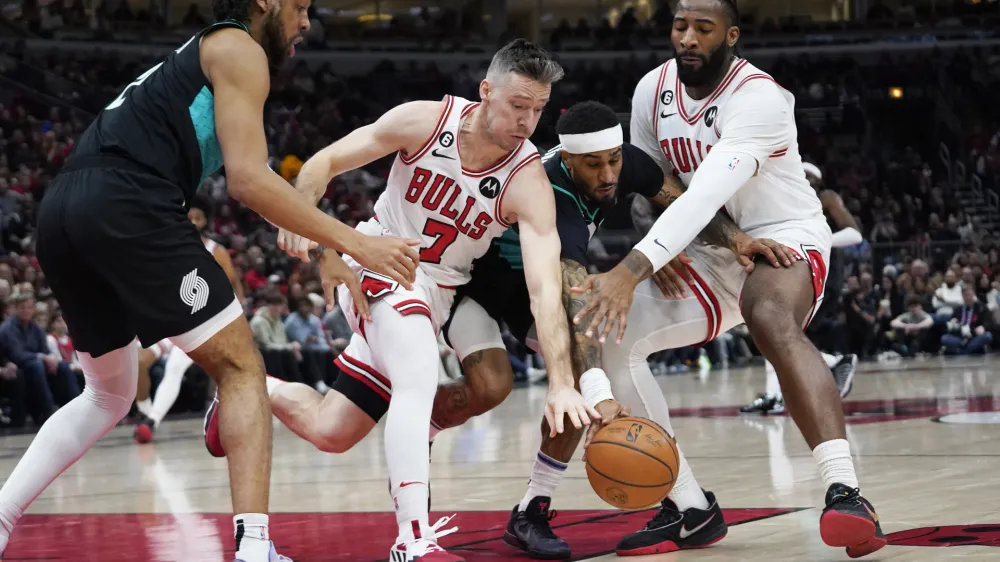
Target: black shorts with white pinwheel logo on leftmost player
{"points": [[123, 260]]}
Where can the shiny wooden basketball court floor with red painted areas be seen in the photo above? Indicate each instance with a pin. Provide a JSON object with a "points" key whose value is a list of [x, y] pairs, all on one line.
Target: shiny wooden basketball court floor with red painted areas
{"points": [[926, 436]]}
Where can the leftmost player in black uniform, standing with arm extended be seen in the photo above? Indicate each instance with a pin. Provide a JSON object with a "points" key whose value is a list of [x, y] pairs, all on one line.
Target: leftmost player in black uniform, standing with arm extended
{"points": [[124, 261]]}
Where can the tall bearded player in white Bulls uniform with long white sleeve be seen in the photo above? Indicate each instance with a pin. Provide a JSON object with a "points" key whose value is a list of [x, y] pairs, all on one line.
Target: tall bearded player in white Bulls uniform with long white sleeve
{"points": [[728, 131]]}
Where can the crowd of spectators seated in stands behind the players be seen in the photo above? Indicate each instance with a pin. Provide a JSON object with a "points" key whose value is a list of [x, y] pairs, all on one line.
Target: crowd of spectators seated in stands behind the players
{"points": [[913, 285]]}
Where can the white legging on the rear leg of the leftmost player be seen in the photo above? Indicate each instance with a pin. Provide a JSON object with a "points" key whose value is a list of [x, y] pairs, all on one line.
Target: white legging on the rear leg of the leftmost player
{"points": [[65, 437]]}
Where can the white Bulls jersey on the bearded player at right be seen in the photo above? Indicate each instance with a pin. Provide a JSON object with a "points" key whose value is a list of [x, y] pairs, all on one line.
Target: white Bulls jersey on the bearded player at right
{"points": [[679, 132]]}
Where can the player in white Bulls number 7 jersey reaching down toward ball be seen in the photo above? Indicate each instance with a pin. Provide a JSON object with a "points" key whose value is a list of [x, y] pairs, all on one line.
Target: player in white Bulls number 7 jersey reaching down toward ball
{"points": [[464, 173]]}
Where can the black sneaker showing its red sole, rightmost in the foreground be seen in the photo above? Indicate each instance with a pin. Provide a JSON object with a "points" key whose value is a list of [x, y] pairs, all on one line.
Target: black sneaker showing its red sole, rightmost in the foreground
{"points": [[849, 520]]}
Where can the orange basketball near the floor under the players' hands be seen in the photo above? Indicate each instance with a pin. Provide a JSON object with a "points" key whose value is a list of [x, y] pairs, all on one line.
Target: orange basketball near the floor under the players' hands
{"points": [[632, 463]]}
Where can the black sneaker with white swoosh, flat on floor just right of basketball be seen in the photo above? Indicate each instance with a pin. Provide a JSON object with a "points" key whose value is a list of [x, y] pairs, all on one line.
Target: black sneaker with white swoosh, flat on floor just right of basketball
{"points": [[671, 530]]}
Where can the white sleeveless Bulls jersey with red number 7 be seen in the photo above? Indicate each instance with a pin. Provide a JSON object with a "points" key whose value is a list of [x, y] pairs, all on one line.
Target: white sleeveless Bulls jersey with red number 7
{"points": [[455, 211]]}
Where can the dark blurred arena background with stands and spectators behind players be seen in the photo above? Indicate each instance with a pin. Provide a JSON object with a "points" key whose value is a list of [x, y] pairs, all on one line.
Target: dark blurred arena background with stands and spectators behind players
{"points": [[895, 103]]}
